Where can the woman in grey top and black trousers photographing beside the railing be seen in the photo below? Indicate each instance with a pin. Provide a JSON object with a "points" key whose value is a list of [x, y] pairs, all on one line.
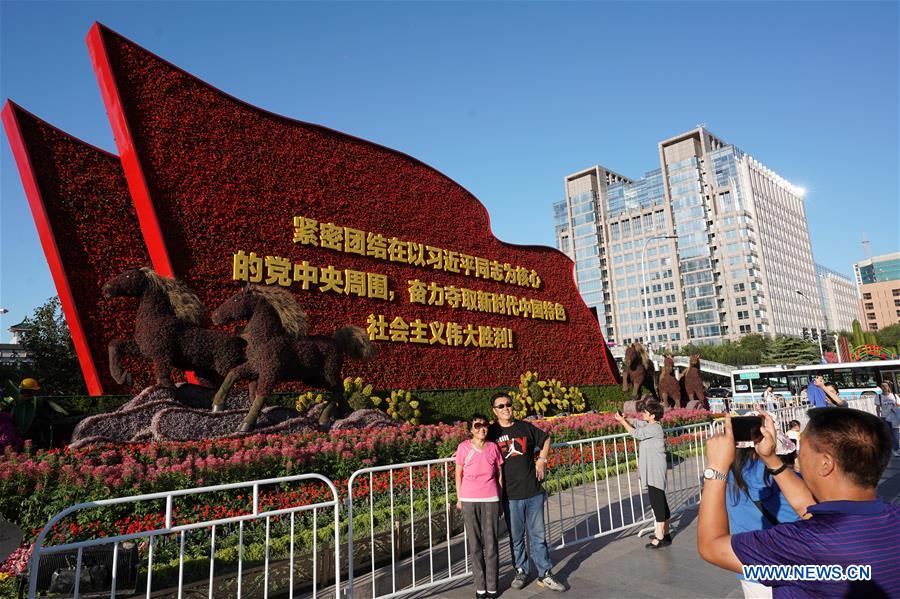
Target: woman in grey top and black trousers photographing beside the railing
{"points": [[652, 465]]}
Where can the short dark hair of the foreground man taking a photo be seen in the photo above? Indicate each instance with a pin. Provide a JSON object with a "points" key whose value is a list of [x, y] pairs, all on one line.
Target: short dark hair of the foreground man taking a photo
{"points": [[859, 442]]}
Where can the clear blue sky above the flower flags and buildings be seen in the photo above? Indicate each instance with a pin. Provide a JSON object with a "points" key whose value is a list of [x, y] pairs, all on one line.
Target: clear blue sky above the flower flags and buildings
{"points": [[506, 98]]}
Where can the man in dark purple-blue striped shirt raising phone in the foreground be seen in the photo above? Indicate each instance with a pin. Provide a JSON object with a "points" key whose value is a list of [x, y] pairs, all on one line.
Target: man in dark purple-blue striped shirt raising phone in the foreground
{"points": [[844, 524]]}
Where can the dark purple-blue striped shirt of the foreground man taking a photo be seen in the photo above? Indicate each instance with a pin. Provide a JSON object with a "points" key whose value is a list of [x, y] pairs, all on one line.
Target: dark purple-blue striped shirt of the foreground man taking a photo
{"points": [[840, 532]]}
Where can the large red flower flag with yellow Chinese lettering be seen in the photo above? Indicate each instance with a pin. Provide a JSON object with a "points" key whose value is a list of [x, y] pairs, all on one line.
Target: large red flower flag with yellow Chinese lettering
{"points": [[227, 194]]}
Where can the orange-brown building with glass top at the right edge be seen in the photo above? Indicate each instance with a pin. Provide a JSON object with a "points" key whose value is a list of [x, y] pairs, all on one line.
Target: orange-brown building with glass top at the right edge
{"points": [[878, 280]]}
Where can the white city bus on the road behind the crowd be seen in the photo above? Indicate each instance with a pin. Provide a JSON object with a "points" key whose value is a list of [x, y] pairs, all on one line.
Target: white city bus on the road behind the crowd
{"points": [[854, 379]]}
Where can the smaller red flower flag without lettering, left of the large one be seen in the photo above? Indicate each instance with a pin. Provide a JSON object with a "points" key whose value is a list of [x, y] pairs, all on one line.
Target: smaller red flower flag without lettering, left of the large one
{"points": [[88, 228]]}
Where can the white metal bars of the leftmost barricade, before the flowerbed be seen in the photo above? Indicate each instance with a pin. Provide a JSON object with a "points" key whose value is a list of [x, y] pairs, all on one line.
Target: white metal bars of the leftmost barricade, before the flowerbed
{"points": [[181, 531]]}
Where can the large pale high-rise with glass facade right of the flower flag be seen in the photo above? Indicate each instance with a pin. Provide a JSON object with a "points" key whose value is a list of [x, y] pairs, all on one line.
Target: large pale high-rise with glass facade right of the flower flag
{"points": [[739, 252]]}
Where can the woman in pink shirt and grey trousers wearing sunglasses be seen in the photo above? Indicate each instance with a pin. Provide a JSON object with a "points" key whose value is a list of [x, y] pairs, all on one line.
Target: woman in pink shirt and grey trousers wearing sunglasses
{"points": [[478, 481]]}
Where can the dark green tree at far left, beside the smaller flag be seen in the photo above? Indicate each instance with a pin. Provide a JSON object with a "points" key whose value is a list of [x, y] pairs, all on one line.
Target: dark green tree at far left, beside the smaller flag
{"points": [[49, 343]]}
